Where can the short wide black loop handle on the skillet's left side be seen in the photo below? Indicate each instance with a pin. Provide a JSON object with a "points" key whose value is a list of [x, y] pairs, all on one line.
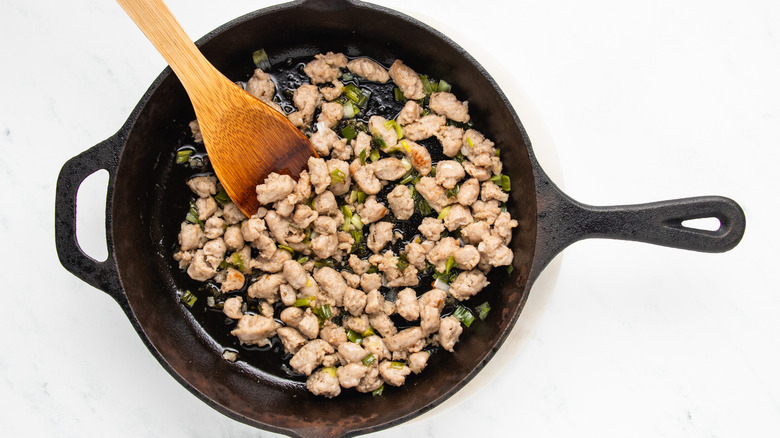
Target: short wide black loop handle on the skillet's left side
{"points": [[102, 275]]}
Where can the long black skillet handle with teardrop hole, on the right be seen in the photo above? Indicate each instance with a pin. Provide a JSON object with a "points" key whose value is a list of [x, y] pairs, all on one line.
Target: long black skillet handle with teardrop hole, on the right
{"points": [[563, 221]]}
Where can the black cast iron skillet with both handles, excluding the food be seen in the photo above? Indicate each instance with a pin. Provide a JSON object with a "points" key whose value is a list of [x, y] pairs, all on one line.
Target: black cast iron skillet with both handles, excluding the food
{"points": [[145, 203]]}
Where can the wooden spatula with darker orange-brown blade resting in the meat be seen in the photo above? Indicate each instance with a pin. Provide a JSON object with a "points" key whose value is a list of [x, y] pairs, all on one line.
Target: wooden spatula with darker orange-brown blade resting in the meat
{"points": [[245, 138]]}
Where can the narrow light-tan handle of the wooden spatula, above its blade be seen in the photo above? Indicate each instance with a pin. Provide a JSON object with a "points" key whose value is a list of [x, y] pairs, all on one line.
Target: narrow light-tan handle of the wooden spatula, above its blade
{"points": [[166, 34]]}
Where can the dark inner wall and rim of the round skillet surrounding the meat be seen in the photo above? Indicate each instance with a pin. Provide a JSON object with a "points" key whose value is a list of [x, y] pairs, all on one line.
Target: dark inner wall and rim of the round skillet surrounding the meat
{"points": [[150, 198]]}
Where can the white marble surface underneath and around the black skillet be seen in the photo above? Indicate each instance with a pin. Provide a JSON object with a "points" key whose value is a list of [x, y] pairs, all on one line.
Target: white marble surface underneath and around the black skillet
{"points": [[644, 100]]}
